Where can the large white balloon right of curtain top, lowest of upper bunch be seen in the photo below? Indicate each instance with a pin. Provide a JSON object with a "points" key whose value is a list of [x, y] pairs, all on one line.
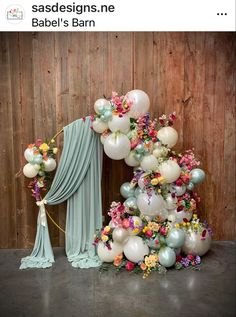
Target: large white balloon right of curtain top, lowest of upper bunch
{"points": [[117, 146]]}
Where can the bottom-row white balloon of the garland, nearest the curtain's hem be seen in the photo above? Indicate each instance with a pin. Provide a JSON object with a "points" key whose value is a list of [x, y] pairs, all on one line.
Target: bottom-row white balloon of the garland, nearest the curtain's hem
{"points": [[107, 255]]}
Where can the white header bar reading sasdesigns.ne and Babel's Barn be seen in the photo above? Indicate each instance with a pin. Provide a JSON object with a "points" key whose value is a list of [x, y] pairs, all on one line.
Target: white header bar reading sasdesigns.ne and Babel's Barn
{"points": [[117, 15]]}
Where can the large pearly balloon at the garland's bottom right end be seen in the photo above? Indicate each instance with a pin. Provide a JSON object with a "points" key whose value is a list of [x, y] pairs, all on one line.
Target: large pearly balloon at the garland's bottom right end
{"points": [[195, 245]]}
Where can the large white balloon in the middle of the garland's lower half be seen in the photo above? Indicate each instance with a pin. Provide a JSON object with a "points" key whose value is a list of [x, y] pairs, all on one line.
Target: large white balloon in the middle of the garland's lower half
{"points": [[150, 205]]}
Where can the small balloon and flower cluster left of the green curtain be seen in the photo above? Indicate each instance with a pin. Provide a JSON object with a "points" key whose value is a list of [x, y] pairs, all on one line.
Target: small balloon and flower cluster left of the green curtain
{"points": [[41, 162]]}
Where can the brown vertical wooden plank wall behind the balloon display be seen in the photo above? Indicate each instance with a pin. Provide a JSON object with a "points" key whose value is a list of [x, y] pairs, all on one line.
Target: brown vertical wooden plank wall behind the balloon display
{"points": [[51, 79]]}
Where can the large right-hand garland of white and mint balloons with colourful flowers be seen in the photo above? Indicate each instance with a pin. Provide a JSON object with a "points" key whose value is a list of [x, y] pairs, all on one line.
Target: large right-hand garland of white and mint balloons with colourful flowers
{"points": [[158, 219]]}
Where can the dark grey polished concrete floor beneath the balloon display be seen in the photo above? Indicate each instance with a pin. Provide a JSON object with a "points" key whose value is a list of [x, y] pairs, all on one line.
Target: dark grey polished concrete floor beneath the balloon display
{"points": [[65, 291]]}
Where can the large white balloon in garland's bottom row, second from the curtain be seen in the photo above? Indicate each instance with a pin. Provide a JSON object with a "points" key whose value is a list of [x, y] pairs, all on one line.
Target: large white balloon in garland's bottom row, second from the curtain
{"points": [[135, 249]]}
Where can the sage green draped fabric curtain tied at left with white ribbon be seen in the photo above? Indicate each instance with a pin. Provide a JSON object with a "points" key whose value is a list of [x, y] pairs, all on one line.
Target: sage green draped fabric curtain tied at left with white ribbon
{"points": [[77, 180]]}
